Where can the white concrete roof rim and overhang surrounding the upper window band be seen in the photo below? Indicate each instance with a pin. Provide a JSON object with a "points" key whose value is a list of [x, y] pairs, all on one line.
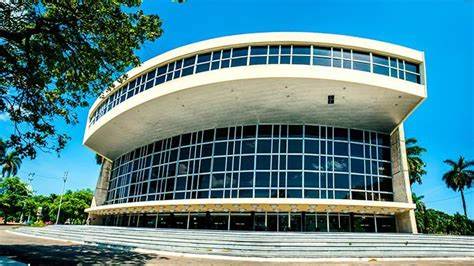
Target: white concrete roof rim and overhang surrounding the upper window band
{"points": [[261, 93]]}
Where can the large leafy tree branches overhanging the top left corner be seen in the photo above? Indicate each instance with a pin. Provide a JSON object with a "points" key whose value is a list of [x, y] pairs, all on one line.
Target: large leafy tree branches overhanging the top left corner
{"points": [[54, 55]]}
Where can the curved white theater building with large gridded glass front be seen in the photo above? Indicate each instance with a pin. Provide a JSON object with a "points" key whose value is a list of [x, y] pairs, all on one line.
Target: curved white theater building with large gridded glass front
{"points": [[265, 131]]}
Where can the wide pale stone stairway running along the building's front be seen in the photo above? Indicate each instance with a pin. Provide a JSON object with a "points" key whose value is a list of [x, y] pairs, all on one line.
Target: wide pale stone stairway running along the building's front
{"points": [[263, 244]]}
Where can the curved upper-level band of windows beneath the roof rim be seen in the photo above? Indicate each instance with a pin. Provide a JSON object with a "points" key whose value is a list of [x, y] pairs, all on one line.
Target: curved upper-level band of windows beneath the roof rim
{"points": [[259, 55]]}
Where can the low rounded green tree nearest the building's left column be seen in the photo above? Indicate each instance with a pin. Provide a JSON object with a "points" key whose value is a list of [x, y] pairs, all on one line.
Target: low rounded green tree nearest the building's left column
{"points": [[72, 207]]}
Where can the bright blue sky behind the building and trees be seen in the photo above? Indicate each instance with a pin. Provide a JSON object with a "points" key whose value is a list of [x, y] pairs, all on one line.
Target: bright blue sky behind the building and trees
{"points": [[444, 30]]}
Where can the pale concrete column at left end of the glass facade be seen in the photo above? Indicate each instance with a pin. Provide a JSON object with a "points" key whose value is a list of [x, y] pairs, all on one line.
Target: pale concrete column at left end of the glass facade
{"points": [[100, 194]]}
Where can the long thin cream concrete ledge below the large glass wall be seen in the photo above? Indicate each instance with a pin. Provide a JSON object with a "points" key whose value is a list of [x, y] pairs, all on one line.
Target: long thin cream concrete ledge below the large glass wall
{"points": [[255, 204]]}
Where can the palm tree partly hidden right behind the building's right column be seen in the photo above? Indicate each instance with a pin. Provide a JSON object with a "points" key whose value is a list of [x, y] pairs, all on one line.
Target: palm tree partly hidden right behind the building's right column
{"points": [[416, 166]]}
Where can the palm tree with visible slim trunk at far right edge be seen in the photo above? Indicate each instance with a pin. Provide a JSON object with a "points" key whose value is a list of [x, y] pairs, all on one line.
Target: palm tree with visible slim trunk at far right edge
{"points": [[459, 177]]}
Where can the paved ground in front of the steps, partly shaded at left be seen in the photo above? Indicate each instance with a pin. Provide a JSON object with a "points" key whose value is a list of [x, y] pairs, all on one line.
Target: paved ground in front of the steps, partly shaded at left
{"points": [[38, 251]]}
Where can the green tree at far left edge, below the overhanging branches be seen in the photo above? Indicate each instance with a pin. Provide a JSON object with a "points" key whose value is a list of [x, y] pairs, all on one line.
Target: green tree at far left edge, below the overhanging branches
{"points": [[13, 193]]}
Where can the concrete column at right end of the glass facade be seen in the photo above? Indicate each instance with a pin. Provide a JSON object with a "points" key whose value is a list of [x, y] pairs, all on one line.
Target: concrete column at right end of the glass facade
{"points": [[406, 222]]}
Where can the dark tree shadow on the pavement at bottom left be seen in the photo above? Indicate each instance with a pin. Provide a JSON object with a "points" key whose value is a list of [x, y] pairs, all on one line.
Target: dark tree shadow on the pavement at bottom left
{"points": [[74, 254]]}
